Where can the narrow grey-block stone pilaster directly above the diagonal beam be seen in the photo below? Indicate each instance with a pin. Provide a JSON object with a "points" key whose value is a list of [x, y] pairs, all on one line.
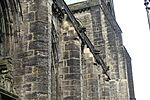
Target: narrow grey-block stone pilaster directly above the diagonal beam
{"points": [[99, 42]]}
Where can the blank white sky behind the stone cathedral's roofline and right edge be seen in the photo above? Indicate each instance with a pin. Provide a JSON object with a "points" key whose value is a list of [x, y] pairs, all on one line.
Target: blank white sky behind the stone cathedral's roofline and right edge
{"points": [[132, 18]]}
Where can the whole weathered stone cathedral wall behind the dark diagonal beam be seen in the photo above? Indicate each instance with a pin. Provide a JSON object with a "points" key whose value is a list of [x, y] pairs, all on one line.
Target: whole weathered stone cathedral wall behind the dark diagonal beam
{"points": [[50, 62]]}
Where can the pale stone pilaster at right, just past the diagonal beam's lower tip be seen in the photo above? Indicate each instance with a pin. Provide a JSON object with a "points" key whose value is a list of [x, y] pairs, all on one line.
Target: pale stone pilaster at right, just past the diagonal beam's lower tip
{"points": [[111, 59]]}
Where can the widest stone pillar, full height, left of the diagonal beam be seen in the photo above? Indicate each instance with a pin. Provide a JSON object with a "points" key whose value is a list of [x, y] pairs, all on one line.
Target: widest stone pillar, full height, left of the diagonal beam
{"points": [[36, 51]]}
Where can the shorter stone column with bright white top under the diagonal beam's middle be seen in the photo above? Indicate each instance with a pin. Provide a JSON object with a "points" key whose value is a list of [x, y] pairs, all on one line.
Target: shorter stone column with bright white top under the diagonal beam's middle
{"points": [[90, 77]]}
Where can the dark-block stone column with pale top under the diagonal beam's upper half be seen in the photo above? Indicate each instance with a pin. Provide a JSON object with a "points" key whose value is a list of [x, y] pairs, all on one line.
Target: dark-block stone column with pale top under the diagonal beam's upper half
{"points": [[71, 83]]}
